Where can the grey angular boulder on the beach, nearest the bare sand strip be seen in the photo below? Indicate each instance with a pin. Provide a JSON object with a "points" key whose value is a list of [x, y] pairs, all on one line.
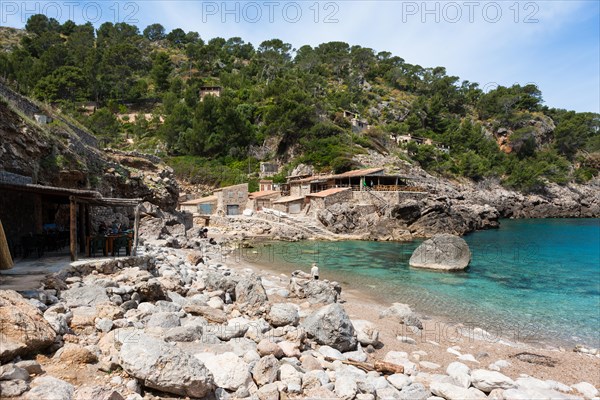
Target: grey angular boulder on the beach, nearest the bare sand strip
{"points": [[331, 326]]}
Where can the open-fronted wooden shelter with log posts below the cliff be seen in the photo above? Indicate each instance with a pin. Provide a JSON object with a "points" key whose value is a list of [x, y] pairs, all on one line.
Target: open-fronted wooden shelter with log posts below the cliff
{"points": [[31, 197]]}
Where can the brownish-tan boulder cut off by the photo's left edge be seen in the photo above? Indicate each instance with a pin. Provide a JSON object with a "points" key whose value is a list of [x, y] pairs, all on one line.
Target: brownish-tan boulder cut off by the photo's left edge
{"points": [[23, 328]]}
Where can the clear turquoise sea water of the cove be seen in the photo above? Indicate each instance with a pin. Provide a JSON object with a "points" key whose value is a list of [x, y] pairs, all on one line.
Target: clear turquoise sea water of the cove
{"points": [[529, 281]]}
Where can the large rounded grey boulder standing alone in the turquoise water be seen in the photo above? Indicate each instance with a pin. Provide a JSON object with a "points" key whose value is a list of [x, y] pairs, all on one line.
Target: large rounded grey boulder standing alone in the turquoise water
{"points": [[442, 252]]}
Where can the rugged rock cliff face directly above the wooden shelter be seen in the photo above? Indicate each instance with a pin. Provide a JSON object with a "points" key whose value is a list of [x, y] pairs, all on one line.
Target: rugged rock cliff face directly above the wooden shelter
{"points": [[61, 153]]}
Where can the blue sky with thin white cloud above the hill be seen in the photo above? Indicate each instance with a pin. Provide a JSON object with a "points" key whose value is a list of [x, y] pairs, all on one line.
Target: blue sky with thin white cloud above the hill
{"points": [[553, 44]]}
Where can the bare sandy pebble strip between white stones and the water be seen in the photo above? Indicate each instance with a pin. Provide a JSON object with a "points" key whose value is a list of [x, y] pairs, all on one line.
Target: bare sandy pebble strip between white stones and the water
{"points": [[438, 335]]}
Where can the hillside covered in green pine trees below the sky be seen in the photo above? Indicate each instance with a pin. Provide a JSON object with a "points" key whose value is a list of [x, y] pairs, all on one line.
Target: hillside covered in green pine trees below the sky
{"points": [[288, 105]]}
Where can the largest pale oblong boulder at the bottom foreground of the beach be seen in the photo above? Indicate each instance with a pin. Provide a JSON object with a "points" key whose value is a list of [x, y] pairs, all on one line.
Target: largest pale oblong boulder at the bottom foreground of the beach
{"points": [[164, 367]]}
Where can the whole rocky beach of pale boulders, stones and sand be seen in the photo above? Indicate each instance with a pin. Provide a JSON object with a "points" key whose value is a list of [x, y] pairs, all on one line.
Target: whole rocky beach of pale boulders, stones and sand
{"points": [[200, 323]]}
